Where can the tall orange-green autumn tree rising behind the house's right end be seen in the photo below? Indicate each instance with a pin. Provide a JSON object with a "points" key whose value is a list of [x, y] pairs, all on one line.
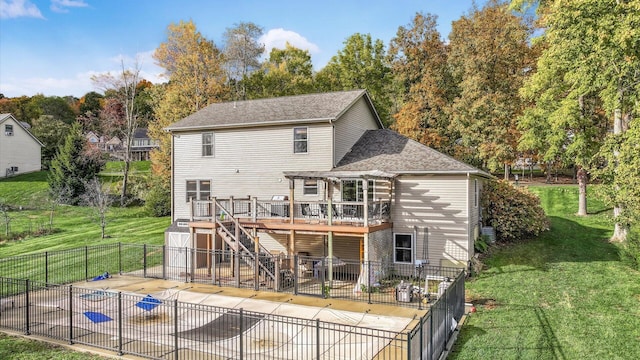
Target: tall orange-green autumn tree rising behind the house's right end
{"points": [[489, 56]]}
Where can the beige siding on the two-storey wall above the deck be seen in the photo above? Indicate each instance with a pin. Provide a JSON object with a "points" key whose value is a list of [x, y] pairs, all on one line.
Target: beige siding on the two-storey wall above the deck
{"points": [[247, 162]]}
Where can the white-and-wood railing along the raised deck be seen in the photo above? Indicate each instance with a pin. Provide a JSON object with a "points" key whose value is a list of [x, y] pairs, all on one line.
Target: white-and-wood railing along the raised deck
{"points": [[318, 211]]}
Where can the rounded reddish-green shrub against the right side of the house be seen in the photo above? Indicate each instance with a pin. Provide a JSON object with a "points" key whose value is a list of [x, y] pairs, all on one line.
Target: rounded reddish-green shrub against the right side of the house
{"points": [[514, 212]]}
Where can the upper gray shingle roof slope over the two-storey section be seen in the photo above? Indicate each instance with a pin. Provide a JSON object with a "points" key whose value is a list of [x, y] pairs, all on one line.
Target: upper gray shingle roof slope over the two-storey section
{"points": [[285, 109]]}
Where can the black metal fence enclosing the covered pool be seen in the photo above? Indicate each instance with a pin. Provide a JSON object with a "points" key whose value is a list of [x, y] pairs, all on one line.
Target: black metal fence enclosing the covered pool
{"points": [[438, 288]]}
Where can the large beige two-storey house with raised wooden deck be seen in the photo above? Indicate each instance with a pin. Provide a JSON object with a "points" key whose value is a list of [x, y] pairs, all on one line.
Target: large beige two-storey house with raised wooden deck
{"points": [[318, 175]]}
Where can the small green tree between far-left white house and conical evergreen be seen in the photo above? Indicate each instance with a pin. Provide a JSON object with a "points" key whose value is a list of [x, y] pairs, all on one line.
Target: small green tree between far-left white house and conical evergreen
{"points": [[52, 133]]}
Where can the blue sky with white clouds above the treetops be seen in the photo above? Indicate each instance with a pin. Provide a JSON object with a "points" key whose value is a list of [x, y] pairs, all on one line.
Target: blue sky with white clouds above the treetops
{"points": [[53, 47]]}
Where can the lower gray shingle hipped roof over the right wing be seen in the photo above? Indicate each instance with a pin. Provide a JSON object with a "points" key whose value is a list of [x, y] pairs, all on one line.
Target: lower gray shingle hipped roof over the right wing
{"points": [[388, 151]]}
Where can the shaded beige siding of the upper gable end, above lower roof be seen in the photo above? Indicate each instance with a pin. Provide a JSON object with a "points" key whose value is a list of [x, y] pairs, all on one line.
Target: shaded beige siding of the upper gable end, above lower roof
{"points": [[350, 127]]}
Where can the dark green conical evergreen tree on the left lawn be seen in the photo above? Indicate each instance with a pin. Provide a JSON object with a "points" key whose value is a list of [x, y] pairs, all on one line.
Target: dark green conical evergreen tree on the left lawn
{"points": [[74, 164]]}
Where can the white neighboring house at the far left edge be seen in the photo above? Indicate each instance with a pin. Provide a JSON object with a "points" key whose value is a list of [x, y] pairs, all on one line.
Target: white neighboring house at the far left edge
{"points": [[19, 149]]}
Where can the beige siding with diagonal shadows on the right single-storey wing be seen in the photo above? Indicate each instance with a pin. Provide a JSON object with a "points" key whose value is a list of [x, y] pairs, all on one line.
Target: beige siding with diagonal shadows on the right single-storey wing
{"points": [[436, 205]]}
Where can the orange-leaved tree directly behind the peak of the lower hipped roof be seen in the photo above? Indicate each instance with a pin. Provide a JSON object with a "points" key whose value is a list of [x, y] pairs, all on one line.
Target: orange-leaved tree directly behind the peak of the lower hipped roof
{"points": [[419, 64]]}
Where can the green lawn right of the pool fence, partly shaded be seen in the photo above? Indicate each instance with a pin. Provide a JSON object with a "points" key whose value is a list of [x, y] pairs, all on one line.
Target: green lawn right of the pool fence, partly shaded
{"points": [[564, 295]]}
